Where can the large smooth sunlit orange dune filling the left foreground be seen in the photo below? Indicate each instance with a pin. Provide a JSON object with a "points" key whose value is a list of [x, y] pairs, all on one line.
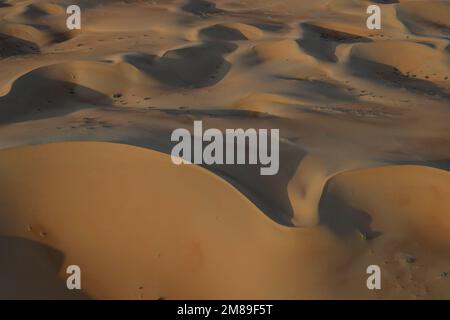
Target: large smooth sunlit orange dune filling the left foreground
{"points": [[131, 220]]}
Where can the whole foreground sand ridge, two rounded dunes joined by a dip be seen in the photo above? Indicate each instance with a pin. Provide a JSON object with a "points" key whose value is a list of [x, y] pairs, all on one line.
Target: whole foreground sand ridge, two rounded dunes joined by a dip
{"points": [[140, 227]]}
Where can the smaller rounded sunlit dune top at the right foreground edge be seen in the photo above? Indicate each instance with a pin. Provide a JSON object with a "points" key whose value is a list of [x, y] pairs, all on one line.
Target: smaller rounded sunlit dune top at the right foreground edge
{"points": [[403, 201]]}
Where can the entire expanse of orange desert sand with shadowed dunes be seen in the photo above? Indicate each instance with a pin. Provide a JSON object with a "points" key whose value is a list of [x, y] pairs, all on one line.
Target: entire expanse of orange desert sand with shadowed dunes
{"points": [[85, 170]]}
